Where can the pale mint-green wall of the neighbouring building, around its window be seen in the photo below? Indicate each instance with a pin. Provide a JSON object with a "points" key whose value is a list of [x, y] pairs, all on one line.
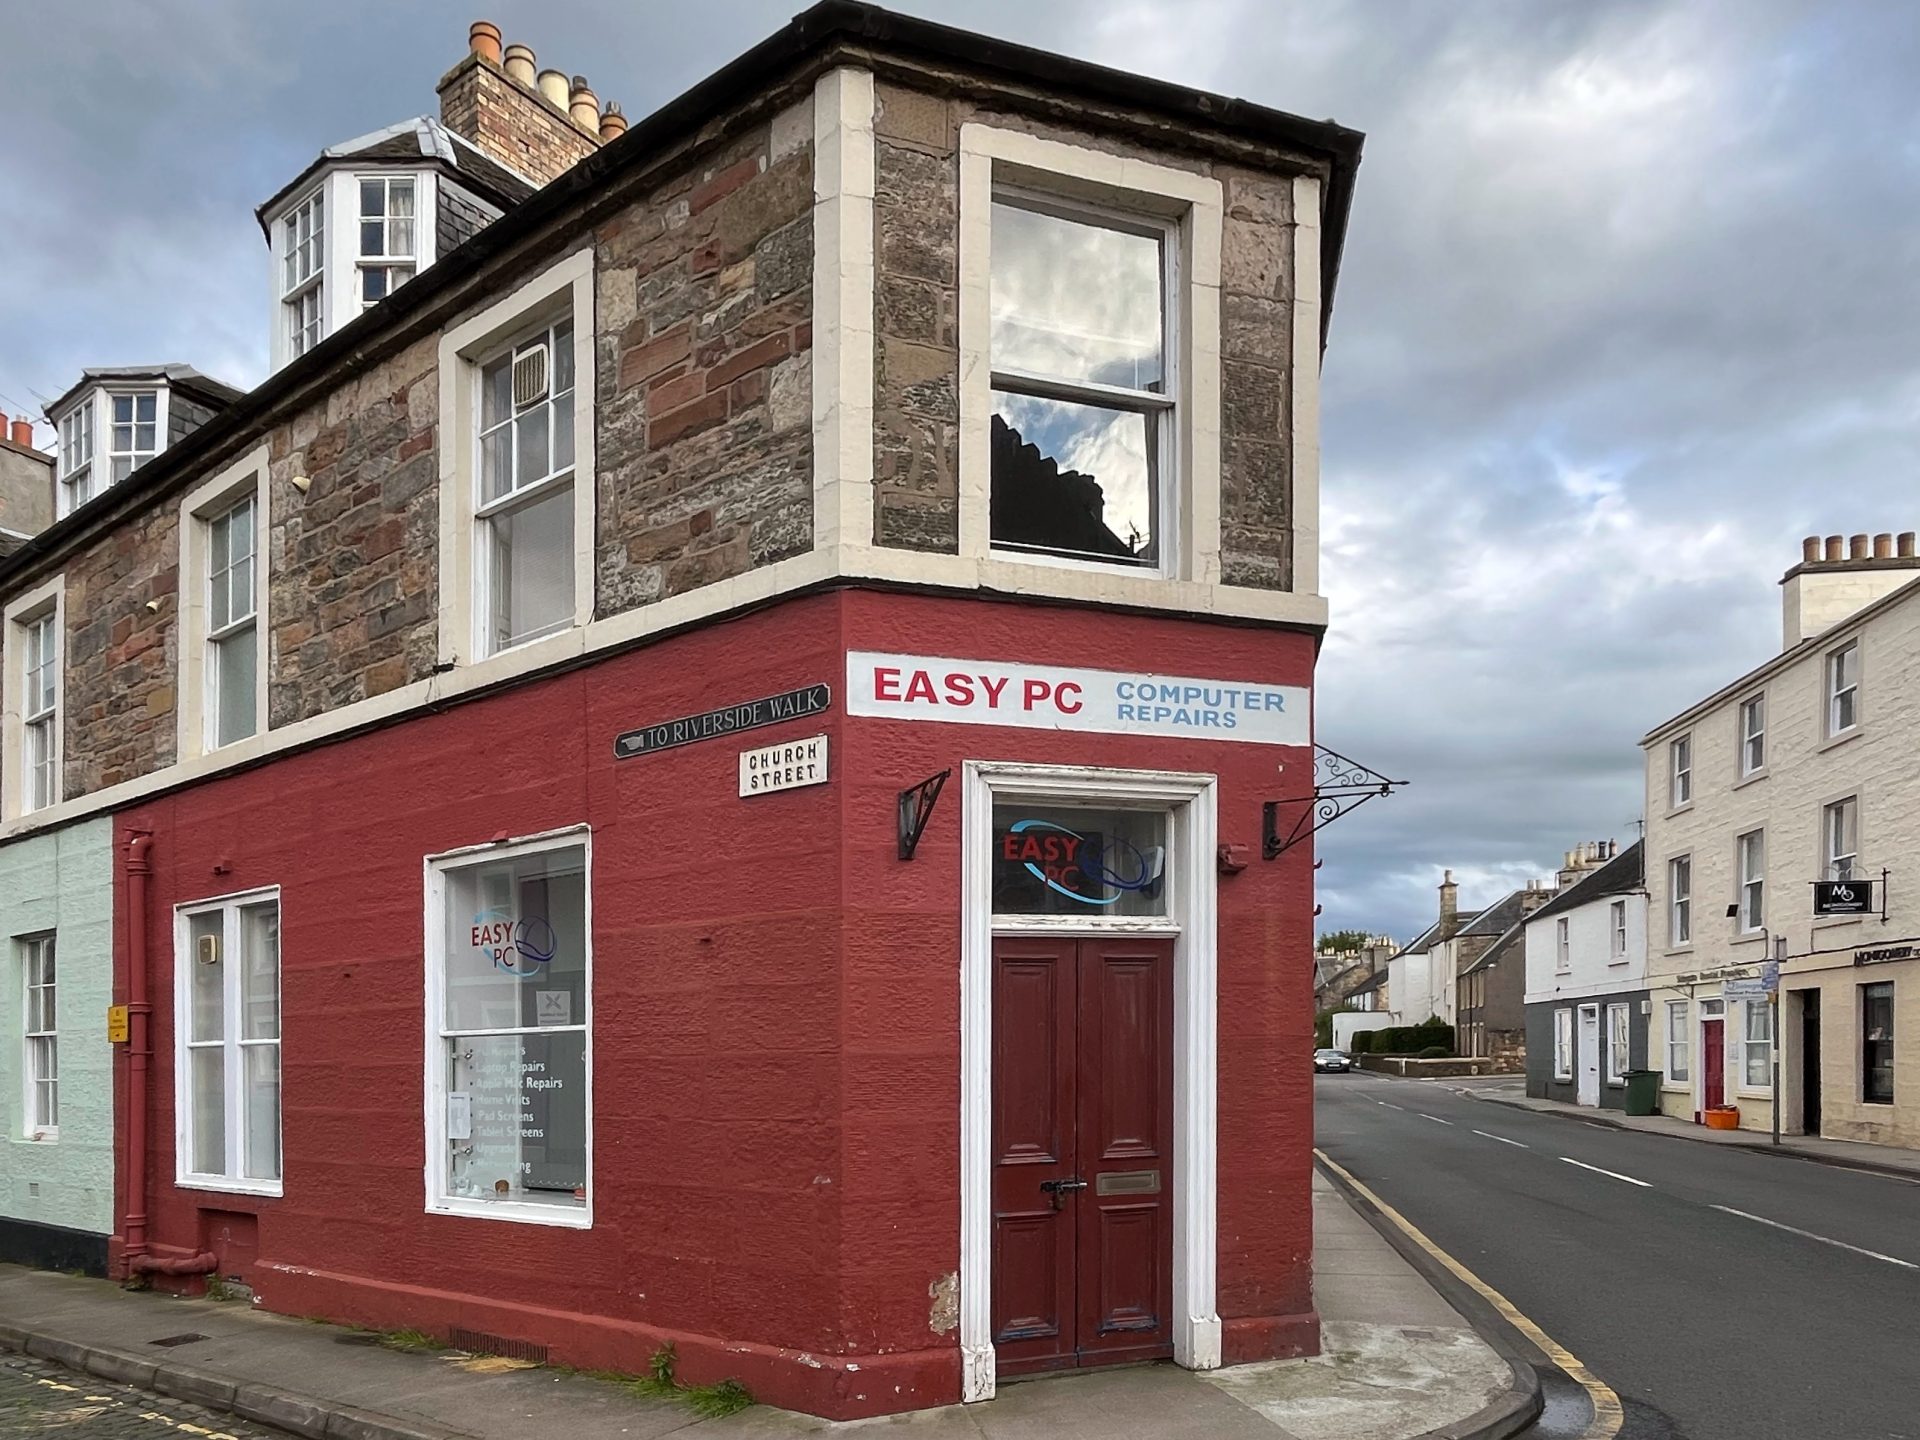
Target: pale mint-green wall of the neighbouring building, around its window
{"points": [[62, 884]]}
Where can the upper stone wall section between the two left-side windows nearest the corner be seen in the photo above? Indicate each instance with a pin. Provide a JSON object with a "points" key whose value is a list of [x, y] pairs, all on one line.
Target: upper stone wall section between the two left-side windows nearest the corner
{"points": [[352, 564]]}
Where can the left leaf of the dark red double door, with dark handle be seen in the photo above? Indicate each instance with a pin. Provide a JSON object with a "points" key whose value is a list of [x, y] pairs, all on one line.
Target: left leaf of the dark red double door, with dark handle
{"points": [[1036, 990]]}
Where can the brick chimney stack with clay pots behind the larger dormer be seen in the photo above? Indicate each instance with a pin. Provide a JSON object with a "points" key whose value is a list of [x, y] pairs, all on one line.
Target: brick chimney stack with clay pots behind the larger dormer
{"points": [[533, 122]]}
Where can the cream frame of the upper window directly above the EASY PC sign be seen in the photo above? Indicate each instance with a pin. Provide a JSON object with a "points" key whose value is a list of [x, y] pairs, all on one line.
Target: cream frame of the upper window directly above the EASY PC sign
{"points": [[1095, 183]]}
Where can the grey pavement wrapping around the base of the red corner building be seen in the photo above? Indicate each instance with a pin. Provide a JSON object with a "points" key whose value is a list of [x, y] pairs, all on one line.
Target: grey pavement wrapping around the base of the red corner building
{"points": [[1399, 1362]]}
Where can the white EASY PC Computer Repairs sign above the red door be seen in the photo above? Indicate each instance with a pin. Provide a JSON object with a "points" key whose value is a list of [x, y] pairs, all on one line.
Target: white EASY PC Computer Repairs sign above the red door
{"points": [[1065, 698]]}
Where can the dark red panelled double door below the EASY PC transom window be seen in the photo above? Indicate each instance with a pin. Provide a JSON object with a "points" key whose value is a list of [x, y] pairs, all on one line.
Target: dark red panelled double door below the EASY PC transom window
{"points": [[1082, 1151]]}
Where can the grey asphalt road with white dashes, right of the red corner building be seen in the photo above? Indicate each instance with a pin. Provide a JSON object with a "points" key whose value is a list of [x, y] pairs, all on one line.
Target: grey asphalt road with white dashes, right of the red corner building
{"points": [[1712, 1326]]}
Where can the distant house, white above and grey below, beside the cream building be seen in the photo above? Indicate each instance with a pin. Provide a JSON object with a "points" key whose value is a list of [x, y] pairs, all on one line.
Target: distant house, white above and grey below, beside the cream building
{"points": [[1587, 986]]}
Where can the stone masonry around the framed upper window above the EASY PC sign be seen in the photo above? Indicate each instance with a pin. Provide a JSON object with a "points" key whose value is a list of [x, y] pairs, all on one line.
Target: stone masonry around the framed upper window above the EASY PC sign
{"points": [[917, 333]]}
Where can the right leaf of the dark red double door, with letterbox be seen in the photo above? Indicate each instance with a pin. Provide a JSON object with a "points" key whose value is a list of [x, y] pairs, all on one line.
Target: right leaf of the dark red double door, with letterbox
{"points": [[1126, 1105]]}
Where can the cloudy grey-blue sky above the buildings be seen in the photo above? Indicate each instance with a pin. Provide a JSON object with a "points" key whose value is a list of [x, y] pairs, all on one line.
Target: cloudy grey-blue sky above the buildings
{"points": [[1631, 302]]}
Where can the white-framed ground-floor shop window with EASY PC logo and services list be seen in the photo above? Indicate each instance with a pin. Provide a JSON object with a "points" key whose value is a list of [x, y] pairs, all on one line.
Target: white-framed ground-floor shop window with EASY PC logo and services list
{"points": [[510, 999]]}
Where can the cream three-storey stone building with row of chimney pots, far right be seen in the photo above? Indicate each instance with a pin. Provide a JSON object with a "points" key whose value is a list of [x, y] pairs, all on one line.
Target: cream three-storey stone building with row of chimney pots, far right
{"points": [[1802, 771]]}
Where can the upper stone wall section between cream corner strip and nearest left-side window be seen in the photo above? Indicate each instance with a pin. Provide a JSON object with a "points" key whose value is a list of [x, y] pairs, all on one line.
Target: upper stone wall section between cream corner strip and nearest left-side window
{"points": [[704, 377]]}
